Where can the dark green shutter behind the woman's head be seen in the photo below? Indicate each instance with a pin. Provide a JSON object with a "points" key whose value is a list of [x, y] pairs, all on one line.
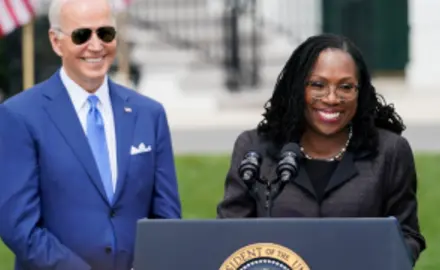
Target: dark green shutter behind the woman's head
{"points": [[378, 27]]}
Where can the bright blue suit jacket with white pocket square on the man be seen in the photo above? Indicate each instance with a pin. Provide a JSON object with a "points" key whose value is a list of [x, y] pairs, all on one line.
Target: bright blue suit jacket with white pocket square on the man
{"points": [[53, 208]]}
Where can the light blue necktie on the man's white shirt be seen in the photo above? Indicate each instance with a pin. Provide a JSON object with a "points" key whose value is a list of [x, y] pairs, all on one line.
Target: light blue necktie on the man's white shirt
{"points": [[98, 143]]}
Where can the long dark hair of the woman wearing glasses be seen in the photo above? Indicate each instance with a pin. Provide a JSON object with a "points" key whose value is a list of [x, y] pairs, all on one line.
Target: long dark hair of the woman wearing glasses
{"points": [[284, 119]]}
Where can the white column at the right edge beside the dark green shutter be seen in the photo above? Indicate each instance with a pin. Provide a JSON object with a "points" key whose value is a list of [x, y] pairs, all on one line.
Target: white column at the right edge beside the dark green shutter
{"points": [[423, 71]]}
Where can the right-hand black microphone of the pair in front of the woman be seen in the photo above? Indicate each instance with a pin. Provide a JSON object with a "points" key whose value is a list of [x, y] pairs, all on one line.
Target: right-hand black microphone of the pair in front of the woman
{"points": [[287, 168]]}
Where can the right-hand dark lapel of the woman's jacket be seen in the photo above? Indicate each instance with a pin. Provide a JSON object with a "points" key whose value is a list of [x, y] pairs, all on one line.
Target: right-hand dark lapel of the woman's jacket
{"points": [[345, 171]]}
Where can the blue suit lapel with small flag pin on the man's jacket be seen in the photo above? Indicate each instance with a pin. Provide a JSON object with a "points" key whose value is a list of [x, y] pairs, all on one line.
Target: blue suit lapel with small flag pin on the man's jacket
{"points": [[125, 120]]}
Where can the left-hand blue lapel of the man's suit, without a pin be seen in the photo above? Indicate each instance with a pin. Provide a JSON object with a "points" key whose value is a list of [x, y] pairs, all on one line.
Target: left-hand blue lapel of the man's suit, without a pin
{"points": [[60, 109]]}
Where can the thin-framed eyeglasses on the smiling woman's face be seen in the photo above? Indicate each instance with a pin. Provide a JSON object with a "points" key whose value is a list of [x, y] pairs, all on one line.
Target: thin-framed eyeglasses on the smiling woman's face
{"points": [[343, 91]]}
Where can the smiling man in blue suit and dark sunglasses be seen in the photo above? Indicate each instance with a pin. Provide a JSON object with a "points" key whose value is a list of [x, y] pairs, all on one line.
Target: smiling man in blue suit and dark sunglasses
{"points": [[81, 157]]}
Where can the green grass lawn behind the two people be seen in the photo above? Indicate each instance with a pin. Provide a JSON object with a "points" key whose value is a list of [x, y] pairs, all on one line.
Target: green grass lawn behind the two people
{"points": [[201, 182]]}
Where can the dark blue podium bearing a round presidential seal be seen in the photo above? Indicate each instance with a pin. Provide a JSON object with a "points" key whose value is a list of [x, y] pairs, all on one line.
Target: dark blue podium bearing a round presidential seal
{"points": [[271, 244]]}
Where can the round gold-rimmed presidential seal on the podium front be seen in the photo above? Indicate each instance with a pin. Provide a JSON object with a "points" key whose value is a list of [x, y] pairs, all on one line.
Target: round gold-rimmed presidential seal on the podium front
{"points": [[264, 256]]}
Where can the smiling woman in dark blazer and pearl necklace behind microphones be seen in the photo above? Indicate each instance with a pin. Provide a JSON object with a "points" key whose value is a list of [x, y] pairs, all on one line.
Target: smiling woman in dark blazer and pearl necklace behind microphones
{"points": [[354, 161]]}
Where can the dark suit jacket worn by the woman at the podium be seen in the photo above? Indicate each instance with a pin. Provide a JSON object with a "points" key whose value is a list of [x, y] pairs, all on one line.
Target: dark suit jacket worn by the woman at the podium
{"points": [[359, 187]]}
